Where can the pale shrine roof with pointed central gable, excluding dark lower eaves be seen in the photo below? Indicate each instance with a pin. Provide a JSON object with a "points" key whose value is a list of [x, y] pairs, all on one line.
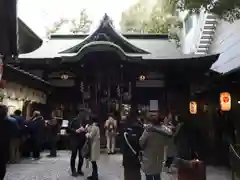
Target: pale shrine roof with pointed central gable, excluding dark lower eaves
{"points": [[69, 45]]}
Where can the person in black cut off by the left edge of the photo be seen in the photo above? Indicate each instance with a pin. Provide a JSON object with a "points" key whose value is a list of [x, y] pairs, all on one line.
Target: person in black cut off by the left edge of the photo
{"points": [[8, 130]]}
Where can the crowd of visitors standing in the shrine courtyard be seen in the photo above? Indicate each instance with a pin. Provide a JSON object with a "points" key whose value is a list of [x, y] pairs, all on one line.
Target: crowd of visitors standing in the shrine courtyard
{"points": [[142, 144]]}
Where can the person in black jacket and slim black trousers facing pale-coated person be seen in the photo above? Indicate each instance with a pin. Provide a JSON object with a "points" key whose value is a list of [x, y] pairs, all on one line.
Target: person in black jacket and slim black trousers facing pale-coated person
{"points": [[78, 139]]}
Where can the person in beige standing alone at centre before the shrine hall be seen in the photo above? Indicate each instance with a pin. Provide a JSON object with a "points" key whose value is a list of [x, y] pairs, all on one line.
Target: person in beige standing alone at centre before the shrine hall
{"points": [[111, 132]]}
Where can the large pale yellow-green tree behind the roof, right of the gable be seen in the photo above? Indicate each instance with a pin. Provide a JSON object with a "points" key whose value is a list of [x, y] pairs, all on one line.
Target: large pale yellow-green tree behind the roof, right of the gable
{"points": [[160, 20]]}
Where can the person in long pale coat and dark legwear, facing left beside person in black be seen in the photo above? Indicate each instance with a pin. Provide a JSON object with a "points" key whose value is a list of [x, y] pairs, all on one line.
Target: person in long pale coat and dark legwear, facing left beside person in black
{"points": [[93, 135]]}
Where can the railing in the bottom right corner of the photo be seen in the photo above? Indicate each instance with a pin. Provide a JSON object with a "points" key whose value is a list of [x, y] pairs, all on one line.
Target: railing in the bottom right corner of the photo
{"points": [[235, 161]]}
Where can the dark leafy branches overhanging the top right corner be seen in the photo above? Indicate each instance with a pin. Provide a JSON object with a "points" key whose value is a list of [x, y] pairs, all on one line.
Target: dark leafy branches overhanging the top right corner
{"points": [[226, 9]]}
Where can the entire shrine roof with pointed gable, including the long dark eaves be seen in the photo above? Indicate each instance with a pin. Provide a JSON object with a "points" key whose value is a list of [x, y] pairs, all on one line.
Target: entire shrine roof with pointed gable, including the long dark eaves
{"points": [[133, 47]]}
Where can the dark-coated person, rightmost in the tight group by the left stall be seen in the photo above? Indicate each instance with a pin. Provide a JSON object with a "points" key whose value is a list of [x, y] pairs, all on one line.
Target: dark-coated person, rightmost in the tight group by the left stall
{"points": [[36, 129]]}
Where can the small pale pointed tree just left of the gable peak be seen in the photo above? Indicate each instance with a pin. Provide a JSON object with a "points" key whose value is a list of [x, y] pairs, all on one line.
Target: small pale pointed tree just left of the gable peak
{"points": [[82, 24]]}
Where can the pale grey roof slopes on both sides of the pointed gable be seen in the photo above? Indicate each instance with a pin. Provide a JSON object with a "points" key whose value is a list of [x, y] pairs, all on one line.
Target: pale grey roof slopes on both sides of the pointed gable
{"points": [[159, 45]]}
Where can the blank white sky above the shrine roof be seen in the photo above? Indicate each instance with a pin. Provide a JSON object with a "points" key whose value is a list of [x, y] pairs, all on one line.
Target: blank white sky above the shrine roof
{"points": [[41, 14]]}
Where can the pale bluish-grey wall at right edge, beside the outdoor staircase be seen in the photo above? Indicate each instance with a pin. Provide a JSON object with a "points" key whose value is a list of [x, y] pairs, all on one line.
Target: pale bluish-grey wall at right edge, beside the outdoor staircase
{"points": [[227, 42]]}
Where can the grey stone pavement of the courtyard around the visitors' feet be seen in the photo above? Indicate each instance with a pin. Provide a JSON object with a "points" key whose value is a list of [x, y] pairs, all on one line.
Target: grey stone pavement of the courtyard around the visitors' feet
{"points": [[58, 169]]}
